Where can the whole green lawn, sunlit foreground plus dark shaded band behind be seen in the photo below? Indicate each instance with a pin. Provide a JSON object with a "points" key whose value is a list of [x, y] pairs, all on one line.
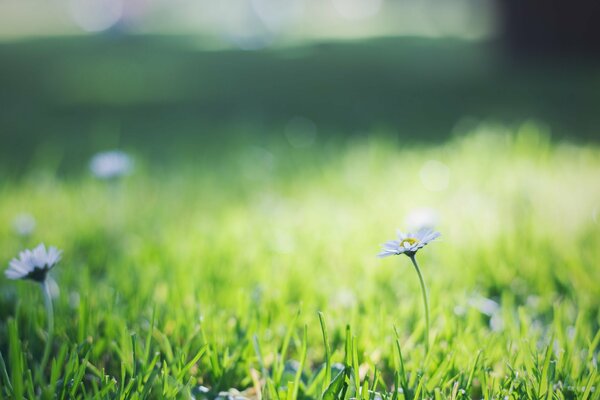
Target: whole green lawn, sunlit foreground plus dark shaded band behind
{"points": [[239, 257]]}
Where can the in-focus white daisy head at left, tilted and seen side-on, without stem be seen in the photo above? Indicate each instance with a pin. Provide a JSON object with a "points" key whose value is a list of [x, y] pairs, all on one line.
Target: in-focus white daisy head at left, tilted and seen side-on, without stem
{"points": [[33, 264]]}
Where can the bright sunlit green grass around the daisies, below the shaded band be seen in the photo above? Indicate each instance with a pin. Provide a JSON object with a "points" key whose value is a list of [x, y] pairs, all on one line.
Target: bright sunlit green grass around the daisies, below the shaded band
{"points": [[256, 271]]}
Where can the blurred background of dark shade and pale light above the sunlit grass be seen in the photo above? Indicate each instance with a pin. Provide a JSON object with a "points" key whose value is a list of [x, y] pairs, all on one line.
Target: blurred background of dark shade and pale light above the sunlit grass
{"points": [[170, 78]]}
